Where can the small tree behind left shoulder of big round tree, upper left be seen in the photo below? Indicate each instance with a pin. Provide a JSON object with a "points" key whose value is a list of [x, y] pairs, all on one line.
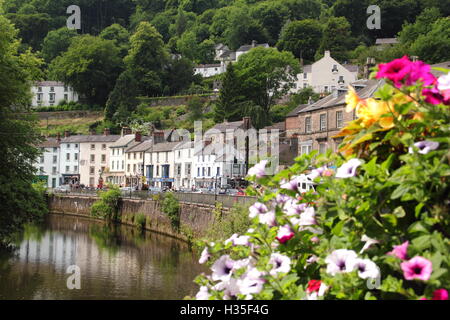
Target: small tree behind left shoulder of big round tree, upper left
{"points": [[56, 42]]}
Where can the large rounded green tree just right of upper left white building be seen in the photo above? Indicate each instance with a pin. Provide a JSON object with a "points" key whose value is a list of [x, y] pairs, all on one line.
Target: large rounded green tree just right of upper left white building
{"points": [[91, 66]]}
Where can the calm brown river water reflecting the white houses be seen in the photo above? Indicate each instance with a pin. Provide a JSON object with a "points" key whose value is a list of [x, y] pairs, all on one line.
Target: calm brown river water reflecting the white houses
{"points": [[115, 262]]}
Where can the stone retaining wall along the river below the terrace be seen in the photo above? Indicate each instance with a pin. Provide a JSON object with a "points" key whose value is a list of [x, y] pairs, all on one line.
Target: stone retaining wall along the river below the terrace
{"points": [[195, 219]]}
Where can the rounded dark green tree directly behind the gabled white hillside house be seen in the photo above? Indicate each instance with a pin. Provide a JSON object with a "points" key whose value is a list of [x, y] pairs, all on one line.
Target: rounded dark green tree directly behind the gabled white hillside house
{"points": [[302, 38]]}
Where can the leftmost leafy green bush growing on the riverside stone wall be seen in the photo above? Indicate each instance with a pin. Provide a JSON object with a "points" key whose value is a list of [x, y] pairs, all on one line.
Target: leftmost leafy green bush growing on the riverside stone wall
{"points": [[107, 207]]}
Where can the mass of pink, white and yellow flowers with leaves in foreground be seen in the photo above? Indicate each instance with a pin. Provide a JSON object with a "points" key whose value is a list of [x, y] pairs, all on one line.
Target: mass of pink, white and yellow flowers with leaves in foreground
{"points": [[377, 227]]}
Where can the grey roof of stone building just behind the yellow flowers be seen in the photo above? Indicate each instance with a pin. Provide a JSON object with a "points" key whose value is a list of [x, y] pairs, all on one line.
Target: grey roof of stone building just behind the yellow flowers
{"points": [[332, 100]]}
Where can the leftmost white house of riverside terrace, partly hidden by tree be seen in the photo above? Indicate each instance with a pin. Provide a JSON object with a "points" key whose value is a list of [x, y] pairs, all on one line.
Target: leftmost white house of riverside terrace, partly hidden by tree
{"points": [[47, 164]]}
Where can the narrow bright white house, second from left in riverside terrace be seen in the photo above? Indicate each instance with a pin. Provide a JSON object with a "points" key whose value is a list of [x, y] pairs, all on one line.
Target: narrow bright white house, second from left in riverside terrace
{"points": [[69, 165]]}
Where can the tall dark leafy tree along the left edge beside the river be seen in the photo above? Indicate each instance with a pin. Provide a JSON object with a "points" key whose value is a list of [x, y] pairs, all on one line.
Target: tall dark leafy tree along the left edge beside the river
{"points": [[19, 201]]}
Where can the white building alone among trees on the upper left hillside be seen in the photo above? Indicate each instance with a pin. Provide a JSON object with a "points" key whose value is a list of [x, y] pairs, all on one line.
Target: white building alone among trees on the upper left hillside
{"points": [[50, 93]]}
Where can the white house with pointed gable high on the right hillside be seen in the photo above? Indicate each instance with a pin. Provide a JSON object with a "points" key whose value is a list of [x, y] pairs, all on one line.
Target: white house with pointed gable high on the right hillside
{"points": [[326, 75]]}
